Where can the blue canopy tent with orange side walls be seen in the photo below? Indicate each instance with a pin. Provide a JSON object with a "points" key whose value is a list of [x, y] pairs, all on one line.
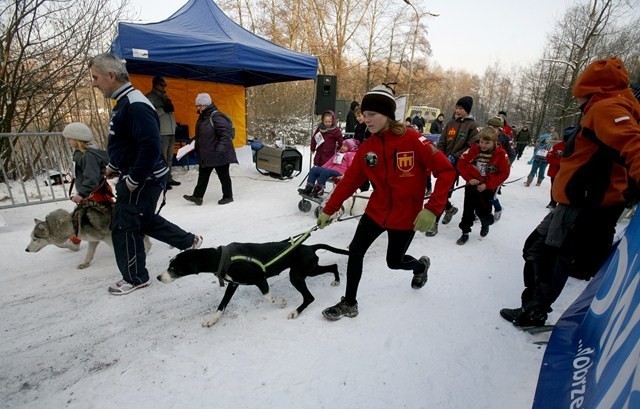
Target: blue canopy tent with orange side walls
{"points": [[200, 49]]}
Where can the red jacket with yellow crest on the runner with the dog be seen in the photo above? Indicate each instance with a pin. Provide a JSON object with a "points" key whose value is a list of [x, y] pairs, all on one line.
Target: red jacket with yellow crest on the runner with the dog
{"points": [[399, 177]]}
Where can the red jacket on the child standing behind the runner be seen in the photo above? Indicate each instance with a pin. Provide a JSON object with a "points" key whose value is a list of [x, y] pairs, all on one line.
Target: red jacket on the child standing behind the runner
{"points": [[497, 171]]}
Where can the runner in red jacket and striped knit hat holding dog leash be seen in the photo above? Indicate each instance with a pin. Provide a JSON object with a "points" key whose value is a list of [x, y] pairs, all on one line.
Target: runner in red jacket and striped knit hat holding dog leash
{"points": [[395, 159]]}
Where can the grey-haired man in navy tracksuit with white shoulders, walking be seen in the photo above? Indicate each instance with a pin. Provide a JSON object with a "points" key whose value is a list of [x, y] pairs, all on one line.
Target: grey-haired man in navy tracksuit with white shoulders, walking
{"points": [[135, 154]]}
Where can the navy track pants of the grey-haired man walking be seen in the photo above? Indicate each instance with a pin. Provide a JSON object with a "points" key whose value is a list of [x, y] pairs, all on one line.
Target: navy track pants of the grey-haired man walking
{"points": [[134, 216]]}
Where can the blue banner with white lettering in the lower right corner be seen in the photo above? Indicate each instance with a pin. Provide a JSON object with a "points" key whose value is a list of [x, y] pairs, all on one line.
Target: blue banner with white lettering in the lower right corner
{"points": [[593, 357]]}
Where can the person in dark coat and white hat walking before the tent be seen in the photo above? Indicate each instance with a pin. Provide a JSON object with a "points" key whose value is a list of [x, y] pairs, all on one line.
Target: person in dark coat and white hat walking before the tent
{"points": [[215, 150]]}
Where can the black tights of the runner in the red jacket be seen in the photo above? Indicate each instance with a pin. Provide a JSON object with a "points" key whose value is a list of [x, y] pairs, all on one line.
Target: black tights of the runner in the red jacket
{"points": [[366, 233]]}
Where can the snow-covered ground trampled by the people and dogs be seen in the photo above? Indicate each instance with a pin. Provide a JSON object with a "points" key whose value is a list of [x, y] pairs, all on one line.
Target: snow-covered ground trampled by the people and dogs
{"points": [[67, 343]]}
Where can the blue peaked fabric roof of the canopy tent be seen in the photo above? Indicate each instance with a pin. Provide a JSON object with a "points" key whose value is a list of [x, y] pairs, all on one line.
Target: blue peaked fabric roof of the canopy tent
{"points": [[200, 42]]}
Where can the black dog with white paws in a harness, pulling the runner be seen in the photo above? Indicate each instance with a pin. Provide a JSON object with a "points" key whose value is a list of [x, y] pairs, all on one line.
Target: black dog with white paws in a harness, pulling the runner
{"points": [[251, 264]]}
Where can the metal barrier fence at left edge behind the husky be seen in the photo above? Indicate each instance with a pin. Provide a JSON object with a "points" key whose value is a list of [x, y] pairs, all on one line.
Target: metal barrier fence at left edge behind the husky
{"points": [[34, 168]]}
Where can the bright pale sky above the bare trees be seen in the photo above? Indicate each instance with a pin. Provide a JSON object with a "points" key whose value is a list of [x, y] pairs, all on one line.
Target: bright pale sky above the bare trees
{"points": [[468, 34]]}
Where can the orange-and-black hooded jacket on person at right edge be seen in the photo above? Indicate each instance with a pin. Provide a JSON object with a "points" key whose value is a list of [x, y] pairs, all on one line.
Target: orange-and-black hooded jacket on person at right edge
{"points": [[587, 177]]}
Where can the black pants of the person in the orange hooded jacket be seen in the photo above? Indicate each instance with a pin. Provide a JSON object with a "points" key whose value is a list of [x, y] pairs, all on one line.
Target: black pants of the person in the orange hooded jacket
{"points": [[586, 244]]}
